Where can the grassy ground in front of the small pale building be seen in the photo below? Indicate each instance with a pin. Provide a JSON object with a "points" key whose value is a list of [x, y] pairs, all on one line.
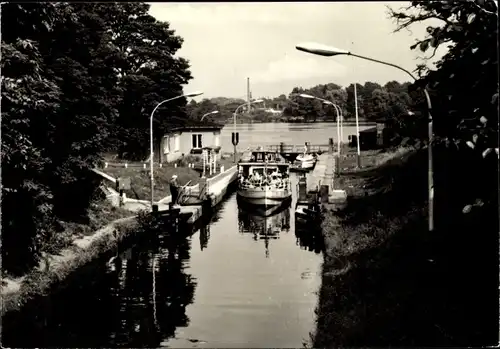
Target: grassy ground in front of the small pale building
{"points": [[140, 178]]}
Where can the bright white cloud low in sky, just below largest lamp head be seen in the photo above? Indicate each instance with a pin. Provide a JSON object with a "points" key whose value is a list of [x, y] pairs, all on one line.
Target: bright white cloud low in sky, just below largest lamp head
{"points": [[292, 67]]}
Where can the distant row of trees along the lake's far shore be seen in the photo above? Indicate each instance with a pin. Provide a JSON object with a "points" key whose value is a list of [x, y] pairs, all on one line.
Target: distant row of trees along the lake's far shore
{"points": [[392, 100]]}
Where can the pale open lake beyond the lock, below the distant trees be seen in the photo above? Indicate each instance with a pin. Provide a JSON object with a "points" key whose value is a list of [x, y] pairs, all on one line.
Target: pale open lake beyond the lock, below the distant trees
{"points": [[294, 133]]}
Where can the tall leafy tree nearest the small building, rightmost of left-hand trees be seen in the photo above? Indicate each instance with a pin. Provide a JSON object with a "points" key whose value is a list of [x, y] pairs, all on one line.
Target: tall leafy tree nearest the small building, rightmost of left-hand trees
{"points": [[148, 72]]}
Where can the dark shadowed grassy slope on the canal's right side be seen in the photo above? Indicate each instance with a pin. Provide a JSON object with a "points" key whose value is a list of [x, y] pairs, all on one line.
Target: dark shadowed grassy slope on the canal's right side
{"points": [[387, 281]]}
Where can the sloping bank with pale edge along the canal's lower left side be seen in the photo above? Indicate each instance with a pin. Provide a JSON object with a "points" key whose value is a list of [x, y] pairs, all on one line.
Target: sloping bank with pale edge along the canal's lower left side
{"points": [[70, 249]]}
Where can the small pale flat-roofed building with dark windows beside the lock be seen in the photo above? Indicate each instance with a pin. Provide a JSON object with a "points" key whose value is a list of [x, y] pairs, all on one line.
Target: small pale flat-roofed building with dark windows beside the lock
{"points": [[186, 140]]}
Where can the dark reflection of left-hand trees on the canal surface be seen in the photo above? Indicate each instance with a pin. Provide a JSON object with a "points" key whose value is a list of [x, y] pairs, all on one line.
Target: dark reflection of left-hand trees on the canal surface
{"points": [[138, 300]]}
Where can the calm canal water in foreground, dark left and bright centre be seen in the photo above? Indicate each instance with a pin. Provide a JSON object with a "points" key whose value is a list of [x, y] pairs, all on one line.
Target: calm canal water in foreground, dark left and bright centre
{"points": [[243, 280]]}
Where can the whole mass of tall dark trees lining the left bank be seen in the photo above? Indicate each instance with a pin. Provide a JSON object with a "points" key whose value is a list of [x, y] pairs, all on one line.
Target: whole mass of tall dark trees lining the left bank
{"points": [[77, 79]]}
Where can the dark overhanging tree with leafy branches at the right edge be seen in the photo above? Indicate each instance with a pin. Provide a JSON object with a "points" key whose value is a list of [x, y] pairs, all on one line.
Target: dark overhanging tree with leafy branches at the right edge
{"points": [[464, 91]]}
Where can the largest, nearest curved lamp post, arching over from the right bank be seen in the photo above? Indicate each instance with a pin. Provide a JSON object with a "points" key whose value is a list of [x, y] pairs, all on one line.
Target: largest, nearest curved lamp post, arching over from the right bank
{"points": [[328, 51]]}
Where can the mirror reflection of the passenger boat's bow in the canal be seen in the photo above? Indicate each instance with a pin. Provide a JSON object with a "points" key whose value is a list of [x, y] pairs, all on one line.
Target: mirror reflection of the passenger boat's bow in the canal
{"points": [[262, 227]]}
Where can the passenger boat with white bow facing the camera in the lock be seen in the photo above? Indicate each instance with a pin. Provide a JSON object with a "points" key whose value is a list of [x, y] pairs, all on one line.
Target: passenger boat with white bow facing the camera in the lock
{"points": [[264, 180]]}
